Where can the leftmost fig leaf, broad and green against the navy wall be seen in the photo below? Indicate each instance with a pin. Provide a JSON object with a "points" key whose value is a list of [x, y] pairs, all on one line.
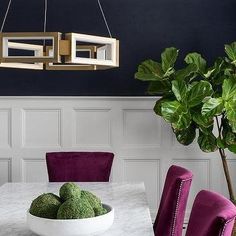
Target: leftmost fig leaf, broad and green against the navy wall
{"points": [[149, 70]]}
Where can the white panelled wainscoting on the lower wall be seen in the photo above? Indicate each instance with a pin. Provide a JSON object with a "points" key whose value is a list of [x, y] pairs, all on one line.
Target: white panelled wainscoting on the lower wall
{"points": [[143, 143]]}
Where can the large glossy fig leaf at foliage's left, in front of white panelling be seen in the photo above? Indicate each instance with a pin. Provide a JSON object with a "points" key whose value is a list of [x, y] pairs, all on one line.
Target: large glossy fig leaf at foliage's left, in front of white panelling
{"points": [[176, 113]]}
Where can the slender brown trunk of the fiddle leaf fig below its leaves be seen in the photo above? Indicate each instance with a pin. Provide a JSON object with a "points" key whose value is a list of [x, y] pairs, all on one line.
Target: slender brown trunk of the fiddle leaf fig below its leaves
{"points": [[225, 165]]}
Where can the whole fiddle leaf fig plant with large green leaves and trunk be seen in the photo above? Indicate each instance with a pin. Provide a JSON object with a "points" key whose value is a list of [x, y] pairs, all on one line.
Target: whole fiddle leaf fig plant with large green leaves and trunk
{"points": [[196, 98]]}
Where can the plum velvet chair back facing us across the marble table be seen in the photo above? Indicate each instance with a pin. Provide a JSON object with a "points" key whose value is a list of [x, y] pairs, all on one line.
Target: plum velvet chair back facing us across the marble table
{"points": [[79, 166]]}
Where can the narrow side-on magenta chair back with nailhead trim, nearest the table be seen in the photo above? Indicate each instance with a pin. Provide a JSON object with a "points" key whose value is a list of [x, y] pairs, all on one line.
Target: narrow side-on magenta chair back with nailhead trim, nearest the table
{"points": [[170, 216]]}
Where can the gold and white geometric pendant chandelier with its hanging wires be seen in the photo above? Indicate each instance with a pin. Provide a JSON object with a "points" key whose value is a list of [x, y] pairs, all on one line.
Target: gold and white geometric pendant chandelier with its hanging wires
{"points": [[57, 51]]}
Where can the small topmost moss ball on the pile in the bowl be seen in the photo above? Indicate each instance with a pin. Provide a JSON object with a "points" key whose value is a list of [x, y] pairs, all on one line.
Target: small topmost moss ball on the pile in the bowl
{"points": [[69, 190]]}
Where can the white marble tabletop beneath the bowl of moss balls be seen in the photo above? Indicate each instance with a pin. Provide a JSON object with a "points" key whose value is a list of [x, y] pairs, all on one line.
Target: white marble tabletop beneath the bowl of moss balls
{"points": [[132, 216]]}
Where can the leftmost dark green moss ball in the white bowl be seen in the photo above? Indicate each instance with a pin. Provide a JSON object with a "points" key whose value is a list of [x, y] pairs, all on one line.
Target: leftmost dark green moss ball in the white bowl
{"points": [[45, 206]]}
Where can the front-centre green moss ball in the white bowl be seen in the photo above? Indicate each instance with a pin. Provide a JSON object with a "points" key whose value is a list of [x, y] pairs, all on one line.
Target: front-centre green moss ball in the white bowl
{"points": [[75, 208]]}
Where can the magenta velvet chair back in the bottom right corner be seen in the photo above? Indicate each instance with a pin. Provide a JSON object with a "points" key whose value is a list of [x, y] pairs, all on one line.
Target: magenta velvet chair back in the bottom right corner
{"points": [[211, 215]]}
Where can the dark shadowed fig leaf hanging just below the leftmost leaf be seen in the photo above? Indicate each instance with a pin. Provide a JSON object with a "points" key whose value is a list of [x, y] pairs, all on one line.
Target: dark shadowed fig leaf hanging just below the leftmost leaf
{"points": [[159, 87]]}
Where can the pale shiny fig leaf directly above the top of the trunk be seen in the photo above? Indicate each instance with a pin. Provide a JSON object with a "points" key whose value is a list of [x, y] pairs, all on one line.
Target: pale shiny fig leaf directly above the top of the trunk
{"points": [[213, 107]]}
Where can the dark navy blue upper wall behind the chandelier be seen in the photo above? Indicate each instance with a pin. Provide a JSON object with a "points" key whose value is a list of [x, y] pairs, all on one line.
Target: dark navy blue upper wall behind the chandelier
{"points": [[144, 28]]}
